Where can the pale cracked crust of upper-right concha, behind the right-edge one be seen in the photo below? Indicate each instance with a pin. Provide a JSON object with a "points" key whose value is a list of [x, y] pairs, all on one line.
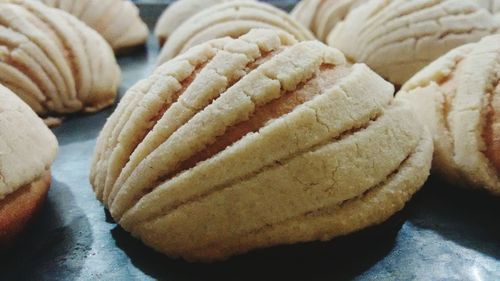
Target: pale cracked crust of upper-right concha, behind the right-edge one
{"points": [[396, 38]]}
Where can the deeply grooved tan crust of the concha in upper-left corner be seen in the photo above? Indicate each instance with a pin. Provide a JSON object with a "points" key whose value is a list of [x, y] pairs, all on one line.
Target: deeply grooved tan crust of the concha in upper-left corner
{"points": [[54, 62]]}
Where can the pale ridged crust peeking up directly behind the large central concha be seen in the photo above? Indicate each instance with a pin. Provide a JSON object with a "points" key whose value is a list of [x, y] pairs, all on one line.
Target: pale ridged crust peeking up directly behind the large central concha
{"points": [[232, 19]]}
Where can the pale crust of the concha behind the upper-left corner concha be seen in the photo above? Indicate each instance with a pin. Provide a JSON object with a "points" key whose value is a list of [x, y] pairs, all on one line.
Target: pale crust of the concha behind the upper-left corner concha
{"points": [[118, 21]]}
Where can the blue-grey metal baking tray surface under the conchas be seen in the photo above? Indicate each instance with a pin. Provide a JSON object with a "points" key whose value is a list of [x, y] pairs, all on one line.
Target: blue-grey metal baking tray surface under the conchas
{"points": [[444, 233]]}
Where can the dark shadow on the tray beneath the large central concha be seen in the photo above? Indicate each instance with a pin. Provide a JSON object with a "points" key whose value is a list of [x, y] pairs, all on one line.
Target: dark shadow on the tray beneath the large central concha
{"points": [[341, 258]]}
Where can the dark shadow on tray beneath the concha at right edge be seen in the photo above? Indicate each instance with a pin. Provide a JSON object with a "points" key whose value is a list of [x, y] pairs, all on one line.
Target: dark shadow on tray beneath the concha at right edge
{"points": [[466, 217]]}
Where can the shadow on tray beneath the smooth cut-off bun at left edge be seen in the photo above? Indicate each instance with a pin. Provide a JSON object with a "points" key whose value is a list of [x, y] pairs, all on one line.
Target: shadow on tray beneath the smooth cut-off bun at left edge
{"points": [[55, 244]]}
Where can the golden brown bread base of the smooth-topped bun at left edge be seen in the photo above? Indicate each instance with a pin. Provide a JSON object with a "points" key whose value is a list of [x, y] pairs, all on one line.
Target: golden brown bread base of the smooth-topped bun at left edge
{"points": [[17, 208]]}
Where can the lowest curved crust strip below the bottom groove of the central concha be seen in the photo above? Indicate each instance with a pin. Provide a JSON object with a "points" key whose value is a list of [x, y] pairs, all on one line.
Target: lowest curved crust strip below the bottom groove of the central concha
{"points": [[373, 207]]}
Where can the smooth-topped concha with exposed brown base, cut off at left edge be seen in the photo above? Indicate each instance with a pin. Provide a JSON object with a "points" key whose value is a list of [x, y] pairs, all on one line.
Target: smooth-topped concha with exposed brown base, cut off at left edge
{"points": [[27, 150]]}
